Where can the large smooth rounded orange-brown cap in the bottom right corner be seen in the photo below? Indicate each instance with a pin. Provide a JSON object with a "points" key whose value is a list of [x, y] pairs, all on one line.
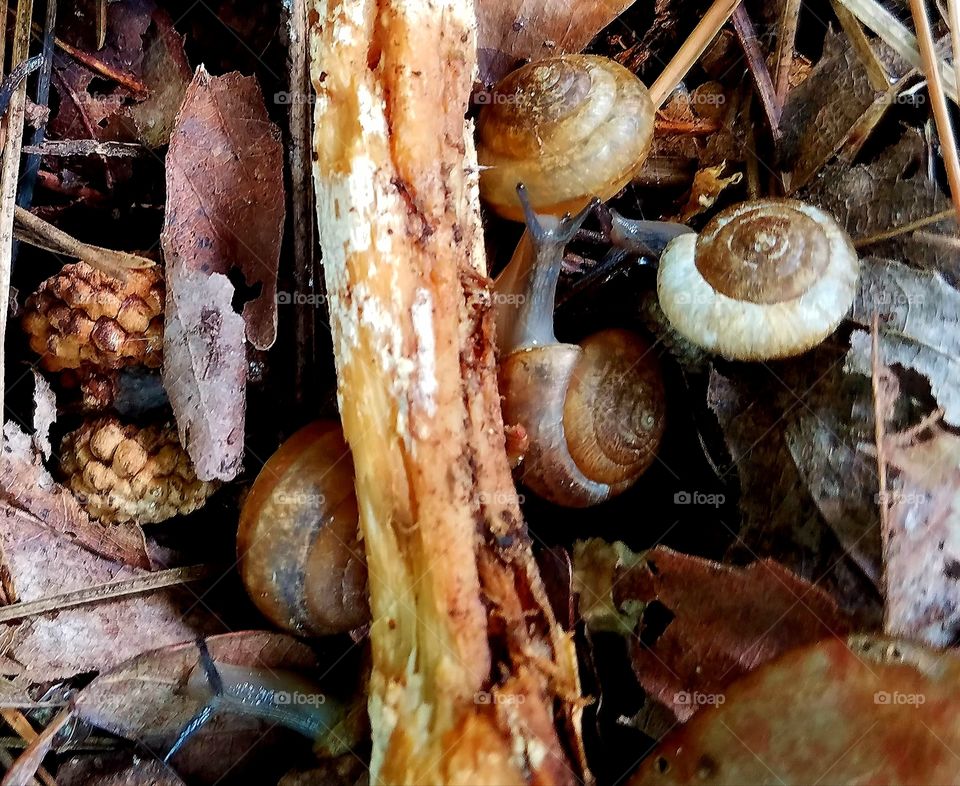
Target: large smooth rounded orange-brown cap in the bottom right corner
{"points": [[876, 711]]}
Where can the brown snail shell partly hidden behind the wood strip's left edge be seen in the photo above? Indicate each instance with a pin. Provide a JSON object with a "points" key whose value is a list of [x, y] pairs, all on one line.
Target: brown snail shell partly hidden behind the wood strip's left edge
{"points": [[301, 559]]}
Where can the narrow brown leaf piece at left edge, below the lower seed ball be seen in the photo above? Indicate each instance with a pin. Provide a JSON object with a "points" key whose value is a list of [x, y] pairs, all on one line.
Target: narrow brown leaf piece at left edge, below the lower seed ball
{"points": [[28, 491]]}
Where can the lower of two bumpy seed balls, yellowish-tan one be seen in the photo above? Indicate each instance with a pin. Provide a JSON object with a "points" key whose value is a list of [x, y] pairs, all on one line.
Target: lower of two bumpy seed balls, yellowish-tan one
{"points": [[123, 473]]}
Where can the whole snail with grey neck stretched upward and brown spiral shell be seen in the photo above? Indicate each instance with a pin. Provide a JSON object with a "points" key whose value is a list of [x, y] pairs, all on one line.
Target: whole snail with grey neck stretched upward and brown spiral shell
{"points": [[593, 413]]}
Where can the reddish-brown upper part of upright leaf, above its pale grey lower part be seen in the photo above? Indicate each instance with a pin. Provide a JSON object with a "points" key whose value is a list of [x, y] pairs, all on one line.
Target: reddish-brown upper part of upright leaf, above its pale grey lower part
{"points": [[225, 198]]}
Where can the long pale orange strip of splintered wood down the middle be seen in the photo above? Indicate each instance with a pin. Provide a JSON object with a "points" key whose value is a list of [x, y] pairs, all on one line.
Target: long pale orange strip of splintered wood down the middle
{"points": [[468, 660]]}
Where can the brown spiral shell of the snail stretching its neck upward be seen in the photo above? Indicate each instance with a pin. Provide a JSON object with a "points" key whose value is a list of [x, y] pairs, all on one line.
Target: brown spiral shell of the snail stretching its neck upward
{"points": [[595, 414]]}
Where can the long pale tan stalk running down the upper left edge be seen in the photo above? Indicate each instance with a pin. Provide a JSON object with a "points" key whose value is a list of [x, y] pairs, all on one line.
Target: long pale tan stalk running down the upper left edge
{"points": [[10, 175]]}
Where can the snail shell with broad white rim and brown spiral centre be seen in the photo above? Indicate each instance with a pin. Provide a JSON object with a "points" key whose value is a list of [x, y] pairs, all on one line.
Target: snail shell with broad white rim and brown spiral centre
{"points": [[765, 279]]}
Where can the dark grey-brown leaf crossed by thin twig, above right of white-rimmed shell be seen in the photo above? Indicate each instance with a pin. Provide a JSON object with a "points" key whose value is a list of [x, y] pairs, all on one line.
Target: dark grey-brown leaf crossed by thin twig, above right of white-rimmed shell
{"points": [[890, 192]]}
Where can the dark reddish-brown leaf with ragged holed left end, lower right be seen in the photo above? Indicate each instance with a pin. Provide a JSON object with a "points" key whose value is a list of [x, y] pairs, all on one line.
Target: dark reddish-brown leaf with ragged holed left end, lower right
{"points": [[723, 621]]}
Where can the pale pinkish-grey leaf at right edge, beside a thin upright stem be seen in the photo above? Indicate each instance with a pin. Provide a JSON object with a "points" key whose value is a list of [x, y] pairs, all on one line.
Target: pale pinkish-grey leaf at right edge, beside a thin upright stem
{"points": [[923, 550]]}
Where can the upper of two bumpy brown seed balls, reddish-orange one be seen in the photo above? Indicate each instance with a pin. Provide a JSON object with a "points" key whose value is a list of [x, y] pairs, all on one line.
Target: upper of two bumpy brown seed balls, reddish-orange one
{"points": [[83, 316]]}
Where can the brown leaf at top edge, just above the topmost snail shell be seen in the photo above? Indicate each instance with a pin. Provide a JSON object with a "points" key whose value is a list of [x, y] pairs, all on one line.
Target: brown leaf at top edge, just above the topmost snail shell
{"points": [[513, 30]]}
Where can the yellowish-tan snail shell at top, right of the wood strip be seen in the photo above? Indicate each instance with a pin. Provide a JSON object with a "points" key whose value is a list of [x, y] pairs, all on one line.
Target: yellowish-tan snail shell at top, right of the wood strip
{"points": [[570, 128]]}
